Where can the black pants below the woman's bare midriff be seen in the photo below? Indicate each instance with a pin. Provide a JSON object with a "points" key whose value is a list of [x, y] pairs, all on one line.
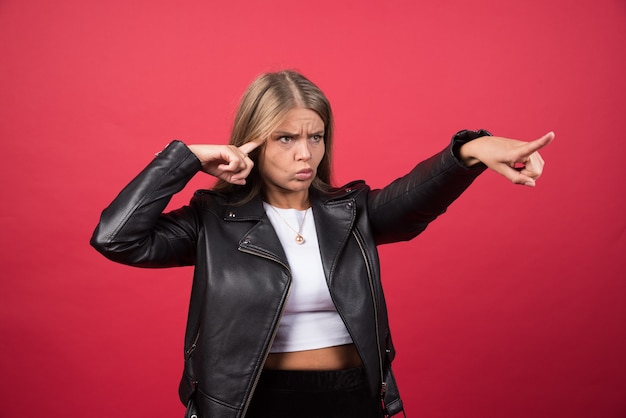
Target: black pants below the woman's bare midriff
{"points": [[313, 394]]}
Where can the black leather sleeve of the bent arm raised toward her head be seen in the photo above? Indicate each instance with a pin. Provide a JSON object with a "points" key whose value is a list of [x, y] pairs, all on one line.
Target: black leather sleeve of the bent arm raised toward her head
{"points": [[133, 230]]}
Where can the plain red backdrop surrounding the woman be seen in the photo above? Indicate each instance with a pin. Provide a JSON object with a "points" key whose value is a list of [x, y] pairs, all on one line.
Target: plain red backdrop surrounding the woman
{"points": [[513, 304]]}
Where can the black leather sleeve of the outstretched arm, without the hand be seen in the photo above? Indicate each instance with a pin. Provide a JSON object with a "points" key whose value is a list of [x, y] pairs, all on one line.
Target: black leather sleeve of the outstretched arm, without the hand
{"points": [[403, 209]]}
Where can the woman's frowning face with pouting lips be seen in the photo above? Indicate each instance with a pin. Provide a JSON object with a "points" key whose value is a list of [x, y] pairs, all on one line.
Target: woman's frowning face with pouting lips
{"points": [[289, 159]]}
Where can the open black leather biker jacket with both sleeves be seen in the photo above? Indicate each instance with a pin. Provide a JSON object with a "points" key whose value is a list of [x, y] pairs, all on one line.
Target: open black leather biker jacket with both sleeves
{"points": [[242, 277]]}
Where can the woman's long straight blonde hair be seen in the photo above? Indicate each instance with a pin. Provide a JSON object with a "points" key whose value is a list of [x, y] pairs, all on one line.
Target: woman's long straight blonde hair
{"points": [[263, 108]]}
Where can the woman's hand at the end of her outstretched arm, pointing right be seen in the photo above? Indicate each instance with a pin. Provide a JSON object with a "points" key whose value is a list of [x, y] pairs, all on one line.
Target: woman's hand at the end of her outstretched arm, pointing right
{"points": [[519, 161]]}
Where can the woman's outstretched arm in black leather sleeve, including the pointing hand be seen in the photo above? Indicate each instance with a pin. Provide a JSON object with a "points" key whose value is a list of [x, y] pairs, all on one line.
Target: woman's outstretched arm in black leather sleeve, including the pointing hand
{"points": [[404, 209]]}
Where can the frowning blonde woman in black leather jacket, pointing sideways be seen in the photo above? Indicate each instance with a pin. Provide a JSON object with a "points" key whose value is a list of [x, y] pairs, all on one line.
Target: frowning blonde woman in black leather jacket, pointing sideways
{"points": [[287, 314]]}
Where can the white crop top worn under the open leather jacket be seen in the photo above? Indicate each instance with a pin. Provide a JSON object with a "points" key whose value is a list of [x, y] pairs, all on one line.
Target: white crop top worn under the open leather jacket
{"points": [[310, 319]]}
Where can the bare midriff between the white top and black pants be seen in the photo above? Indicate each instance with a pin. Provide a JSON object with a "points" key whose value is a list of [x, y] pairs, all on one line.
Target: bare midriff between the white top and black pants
{"points": [[329, 358]]}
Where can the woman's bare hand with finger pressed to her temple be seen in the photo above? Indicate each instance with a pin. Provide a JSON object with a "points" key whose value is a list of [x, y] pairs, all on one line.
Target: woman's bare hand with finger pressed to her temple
{"points": [[226, 162]]}
